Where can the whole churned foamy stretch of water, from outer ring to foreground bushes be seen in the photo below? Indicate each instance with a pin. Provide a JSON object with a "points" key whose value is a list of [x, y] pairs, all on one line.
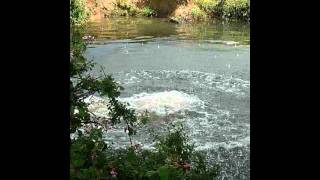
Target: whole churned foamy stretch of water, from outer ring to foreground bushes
{"points": [[213, 108]]}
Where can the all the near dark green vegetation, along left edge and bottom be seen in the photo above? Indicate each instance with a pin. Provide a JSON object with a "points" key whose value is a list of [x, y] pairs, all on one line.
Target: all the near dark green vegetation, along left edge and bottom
{"points": [[90, 156]]}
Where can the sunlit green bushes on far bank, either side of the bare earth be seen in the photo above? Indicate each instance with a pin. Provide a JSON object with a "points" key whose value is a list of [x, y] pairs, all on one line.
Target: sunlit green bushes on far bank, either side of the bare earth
{"points": [[224, 9]]}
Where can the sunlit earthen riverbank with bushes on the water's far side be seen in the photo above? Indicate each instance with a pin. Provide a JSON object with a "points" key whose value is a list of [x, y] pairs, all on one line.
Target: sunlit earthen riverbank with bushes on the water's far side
{"points": [[177, 11]]}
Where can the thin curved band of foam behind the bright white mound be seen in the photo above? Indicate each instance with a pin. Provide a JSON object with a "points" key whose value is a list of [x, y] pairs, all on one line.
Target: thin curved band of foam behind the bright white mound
{"points": [[212, 81]]}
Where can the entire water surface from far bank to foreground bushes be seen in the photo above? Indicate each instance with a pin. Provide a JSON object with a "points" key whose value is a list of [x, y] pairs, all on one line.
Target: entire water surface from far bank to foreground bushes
{"points": [[199, 74]]}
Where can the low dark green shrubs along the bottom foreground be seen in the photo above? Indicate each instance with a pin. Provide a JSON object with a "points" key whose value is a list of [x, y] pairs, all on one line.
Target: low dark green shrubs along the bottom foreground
{"points": [[174, 158]]}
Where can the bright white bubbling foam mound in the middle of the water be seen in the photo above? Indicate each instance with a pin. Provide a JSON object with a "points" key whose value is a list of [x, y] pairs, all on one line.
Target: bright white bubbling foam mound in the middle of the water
{"points": [[161, 103]]}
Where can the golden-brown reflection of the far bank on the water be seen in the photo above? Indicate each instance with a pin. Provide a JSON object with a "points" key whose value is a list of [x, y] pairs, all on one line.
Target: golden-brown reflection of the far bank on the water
{"points": [[128, 28]]}
